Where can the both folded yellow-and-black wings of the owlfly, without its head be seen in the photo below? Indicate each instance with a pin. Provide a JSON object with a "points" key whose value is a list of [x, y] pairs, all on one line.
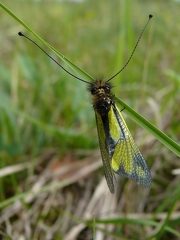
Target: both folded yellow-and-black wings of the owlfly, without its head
{"points": [[119, 151]]}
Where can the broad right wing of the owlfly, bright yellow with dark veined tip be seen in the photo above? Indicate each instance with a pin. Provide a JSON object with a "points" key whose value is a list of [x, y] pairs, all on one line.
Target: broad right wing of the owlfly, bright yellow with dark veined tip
{"points": [[127, 159]]}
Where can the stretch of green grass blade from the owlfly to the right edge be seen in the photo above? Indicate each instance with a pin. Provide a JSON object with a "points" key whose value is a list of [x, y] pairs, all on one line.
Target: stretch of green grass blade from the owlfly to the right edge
{"points": [[163, 138]]}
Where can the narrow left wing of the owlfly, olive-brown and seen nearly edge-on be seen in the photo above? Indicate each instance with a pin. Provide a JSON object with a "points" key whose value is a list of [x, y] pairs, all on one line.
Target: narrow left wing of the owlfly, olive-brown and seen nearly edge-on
{"points": [[104, 153]]}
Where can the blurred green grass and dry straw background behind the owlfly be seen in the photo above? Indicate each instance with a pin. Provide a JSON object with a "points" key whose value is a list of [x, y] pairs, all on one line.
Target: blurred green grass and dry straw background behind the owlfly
{"points": [[51, 179]]}
